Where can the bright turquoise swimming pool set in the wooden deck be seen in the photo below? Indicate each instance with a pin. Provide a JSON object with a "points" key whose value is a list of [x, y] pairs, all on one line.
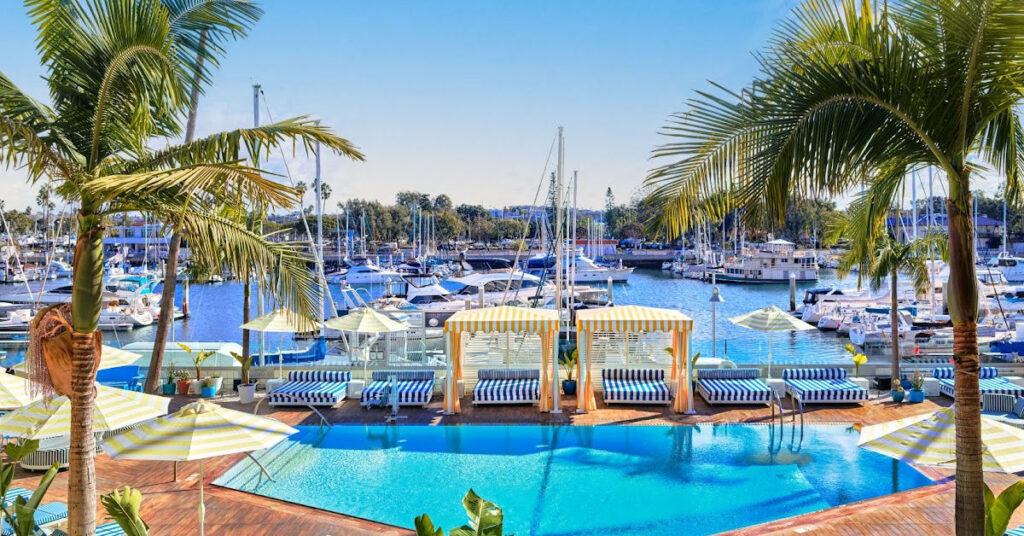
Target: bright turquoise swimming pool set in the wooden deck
{"points": [[576, 480]]}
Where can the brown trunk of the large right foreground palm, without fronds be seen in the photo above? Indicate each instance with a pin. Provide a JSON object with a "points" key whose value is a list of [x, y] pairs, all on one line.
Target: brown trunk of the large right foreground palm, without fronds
{"points": [[963, 303]]}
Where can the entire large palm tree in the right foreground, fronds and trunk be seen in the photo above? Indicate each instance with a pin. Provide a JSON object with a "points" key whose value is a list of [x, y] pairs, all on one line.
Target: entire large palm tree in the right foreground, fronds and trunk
{"points": [[849, 97]]}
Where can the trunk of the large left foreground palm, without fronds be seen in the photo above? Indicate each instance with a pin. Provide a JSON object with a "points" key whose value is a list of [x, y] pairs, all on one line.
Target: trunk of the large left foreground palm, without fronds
{"points": [[87, 304]]}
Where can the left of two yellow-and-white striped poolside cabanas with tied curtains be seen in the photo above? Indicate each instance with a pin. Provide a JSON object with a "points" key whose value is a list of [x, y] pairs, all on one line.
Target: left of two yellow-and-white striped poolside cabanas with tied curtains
{"points": [[505, 319]]}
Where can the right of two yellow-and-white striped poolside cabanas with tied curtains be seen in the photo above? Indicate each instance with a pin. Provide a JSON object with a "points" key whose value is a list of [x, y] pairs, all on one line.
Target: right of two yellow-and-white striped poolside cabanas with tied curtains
{"points": [[636, 319]]}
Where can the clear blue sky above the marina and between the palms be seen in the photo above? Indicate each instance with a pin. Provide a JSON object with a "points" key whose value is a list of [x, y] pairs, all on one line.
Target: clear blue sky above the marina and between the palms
{"points": [[464, 98]]}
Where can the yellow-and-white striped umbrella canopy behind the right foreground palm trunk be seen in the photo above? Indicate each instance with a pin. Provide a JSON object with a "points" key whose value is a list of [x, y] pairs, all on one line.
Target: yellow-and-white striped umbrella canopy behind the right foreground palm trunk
{"points": [[931, 440]]}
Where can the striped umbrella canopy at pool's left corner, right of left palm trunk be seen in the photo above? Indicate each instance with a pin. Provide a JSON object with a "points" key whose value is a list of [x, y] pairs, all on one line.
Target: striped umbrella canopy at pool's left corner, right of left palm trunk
{"points": [[201, 430]]}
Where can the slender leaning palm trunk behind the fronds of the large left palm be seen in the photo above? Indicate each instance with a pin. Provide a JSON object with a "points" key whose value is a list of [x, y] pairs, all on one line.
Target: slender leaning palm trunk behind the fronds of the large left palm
{"points": [[174, 250]]}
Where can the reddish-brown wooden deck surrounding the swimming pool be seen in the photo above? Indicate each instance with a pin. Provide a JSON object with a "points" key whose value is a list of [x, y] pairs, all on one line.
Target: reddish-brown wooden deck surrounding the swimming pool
{"points": [[169, 506]]}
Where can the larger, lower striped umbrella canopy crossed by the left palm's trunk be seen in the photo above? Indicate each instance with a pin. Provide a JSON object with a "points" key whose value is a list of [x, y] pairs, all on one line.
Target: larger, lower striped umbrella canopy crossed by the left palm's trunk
{"points": [[114, 409]]}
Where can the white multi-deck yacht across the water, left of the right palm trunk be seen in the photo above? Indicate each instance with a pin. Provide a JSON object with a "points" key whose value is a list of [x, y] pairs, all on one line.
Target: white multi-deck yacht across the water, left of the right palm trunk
{"points": [[775, 262]]}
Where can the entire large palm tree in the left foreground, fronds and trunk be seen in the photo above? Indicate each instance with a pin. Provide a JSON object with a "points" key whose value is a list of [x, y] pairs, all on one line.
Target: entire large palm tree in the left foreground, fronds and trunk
{"points": [[118, 75]]}
